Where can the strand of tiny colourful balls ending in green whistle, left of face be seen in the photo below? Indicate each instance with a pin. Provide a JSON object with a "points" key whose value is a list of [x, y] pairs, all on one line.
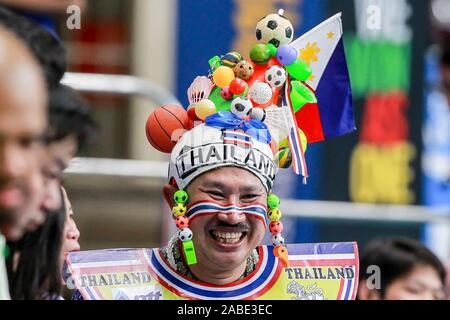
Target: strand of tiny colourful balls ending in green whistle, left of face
{"points": [[184, 233]]}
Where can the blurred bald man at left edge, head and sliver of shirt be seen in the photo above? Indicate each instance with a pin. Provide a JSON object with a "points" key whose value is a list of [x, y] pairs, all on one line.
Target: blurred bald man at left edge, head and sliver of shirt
{"points": [[22, 123]]}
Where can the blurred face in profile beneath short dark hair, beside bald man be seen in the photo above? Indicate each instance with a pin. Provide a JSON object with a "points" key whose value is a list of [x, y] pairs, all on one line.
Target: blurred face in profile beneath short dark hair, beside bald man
{"points": [[58, 156]]}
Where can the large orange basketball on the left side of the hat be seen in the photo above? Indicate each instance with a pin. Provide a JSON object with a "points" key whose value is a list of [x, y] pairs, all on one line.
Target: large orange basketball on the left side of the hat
{"points": [[163, 126]]}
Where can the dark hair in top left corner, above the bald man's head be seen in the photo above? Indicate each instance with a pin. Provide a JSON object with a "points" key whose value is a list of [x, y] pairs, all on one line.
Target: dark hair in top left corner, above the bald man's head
{"points": [[47, 49]]}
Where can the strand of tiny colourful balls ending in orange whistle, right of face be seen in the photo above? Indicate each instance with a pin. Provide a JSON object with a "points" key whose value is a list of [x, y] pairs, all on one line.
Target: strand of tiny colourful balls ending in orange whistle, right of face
{"points": [[276, 227]]}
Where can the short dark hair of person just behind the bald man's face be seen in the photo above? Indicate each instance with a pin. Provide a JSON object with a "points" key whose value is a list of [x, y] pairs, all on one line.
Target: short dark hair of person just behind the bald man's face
{"points": [[69, 114]]}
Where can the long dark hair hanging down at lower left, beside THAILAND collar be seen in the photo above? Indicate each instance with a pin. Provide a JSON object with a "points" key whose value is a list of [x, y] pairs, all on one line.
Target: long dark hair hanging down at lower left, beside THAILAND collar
{"points": [[37, 274]]}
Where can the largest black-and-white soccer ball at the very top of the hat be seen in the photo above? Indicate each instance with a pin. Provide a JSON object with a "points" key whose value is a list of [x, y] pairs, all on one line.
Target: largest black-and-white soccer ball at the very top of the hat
{"points": [[275, 29]]}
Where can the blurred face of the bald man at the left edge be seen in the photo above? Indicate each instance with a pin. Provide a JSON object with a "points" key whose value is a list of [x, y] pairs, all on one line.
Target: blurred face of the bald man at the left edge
{"points": [[22, 123]]}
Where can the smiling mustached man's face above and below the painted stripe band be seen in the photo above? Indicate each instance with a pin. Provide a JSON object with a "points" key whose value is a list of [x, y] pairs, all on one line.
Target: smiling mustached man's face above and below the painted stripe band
{"points": [[223, 241]]}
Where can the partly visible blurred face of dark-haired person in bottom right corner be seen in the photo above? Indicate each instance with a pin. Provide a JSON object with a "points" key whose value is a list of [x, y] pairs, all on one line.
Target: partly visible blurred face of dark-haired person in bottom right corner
{"points": [[422, 283]]}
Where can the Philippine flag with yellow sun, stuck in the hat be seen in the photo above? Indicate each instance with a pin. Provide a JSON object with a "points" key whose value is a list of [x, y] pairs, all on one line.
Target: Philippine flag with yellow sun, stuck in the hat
{"points": [[323, 49]]}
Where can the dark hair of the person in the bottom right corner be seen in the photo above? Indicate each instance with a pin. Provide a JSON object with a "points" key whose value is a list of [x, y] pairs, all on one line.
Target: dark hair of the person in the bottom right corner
{"points": [[397, 257]]}
